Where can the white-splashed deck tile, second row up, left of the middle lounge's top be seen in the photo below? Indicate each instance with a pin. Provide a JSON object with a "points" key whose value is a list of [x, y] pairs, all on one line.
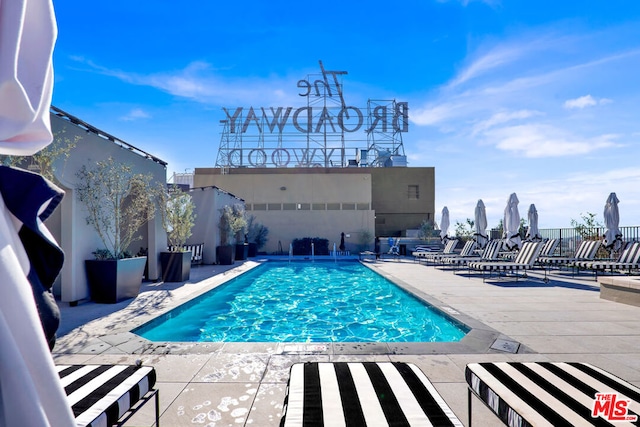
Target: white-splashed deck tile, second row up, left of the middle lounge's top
{"points": [[247, 367]]}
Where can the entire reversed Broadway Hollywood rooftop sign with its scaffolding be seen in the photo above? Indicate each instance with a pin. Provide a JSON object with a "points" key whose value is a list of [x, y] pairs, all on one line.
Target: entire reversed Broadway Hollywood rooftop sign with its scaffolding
{"points": [[318, 134]]}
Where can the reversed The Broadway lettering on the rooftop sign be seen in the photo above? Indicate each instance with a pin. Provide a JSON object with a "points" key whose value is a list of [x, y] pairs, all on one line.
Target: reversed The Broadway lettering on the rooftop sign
{"points": [[347, 119]]}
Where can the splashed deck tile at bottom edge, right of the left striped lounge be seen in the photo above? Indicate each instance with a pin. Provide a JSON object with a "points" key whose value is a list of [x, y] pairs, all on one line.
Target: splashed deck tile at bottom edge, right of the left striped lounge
{"points": [[211, 404]]}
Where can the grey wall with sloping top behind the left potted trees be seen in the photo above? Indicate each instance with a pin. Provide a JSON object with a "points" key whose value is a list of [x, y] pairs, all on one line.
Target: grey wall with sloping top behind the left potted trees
{"points": [[77, 239]]}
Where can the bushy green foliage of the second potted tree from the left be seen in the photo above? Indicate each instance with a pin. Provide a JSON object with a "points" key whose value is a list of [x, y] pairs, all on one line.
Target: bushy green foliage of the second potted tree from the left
{"points": [[177, 209]]}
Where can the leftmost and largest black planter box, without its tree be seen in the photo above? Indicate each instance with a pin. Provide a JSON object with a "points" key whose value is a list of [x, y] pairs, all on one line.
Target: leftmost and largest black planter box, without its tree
{"points": [[114, 280]]}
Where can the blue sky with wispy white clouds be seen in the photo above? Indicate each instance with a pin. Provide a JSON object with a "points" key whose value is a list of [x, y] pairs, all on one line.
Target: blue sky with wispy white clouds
{"points": [[537, 98]]}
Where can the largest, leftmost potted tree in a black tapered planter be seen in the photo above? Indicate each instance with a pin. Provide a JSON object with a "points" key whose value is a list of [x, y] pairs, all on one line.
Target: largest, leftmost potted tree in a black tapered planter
{"points": [[118, 202]]}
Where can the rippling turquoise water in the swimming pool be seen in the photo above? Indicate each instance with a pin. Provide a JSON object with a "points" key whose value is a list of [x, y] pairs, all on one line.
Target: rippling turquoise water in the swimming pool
{"points": [[305, 302]]}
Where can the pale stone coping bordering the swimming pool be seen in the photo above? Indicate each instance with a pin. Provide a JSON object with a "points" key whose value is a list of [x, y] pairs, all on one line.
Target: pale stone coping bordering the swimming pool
{"points": [[479, 339]]}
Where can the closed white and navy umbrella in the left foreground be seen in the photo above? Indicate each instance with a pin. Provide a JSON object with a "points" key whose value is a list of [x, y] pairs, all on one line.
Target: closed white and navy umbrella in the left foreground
{"points": [[31, 393]]}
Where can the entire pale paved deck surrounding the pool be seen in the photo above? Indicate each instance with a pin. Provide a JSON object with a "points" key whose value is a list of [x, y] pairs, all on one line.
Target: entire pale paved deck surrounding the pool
{"points": [[243, 384]]}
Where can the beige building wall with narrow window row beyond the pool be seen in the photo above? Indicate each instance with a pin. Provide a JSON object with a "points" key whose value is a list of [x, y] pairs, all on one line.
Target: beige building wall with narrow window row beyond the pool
{"points": [[302, 202]]}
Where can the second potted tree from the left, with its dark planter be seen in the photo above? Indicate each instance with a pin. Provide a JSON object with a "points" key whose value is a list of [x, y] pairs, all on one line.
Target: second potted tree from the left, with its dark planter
{"points": [[177, 209]]}
